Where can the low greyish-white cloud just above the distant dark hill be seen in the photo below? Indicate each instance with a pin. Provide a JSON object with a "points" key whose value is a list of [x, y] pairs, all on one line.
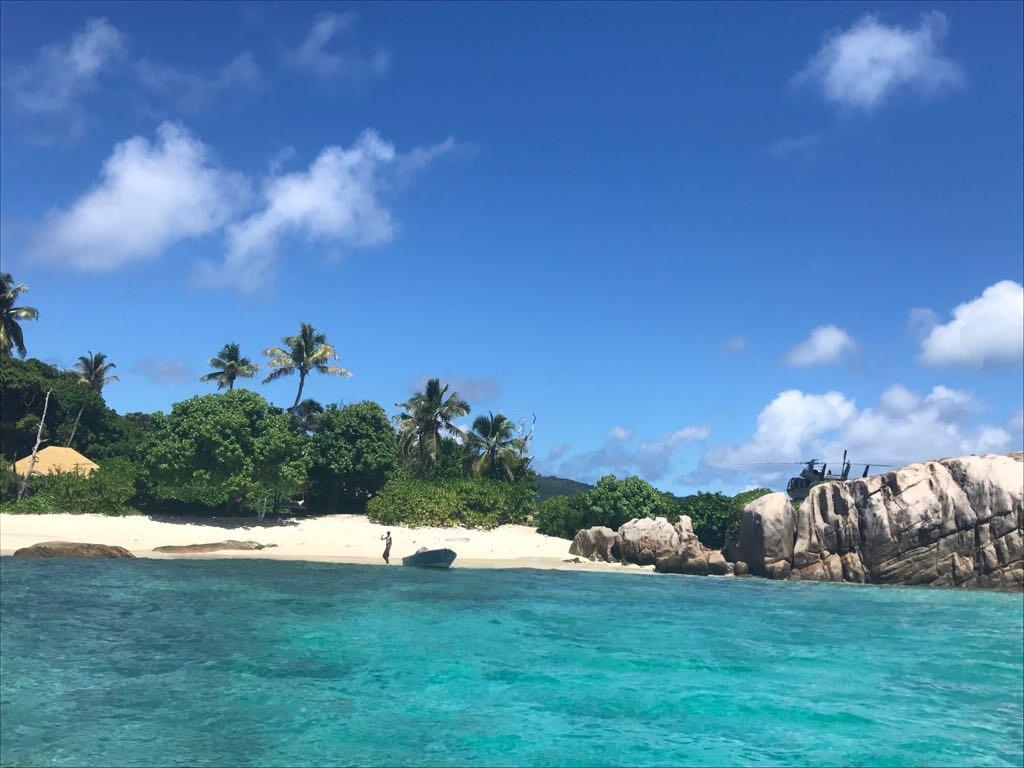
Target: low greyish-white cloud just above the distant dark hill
{"points": [[620, 455]]}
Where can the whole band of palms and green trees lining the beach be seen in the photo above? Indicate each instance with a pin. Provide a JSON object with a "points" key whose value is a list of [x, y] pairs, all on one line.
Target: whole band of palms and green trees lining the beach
{"points": [[236, 453]]}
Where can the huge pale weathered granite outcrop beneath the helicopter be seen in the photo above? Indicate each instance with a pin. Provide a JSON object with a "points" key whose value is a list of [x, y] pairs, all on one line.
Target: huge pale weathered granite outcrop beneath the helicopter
{"points": [[952, 523]]}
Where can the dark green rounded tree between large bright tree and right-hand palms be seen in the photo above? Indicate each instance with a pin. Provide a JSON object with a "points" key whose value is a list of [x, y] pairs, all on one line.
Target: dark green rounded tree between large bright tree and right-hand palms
{"points": [[355, 454]]}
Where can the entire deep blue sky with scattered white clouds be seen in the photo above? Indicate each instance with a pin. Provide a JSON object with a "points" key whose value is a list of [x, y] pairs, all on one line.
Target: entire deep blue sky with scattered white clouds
{"points": [[688, 238]]}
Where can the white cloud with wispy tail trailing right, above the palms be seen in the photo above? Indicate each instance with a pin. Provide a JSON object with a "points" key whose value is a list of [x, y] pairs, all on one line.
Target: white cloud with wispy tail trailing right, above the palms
{"points": [[337, 202]]}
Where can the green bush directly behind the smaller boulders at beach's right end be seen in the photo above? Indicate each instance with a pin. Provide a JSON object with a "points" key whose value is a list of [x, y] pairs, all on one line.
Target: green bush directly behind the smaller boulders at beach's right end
{"points": [[611, 503]]}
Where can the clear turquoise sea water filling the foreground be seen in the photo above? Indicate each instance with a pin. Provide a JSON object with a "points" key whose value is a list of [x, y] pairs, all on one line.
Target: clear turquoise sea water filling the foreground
{"points": [[260, 663]]}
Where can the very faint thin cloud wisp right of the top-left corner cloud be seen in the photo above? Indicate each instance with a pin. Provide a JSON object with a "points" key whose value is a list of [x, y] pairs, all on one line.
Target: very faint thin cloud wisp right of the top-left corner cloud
{"points": [[194, 91]]}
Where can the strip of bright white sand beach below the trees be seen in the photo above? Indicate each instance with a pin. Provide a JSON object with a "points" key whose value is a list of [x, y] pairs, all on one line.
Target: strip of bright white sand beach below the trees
{"points": [[332, 539]]}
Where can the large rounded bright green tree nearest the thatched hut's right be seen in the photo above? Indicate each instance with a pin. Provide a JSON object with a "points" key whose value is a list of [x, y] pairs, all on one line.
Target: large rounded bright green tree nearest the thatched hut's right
{"points": [[233, 451]]}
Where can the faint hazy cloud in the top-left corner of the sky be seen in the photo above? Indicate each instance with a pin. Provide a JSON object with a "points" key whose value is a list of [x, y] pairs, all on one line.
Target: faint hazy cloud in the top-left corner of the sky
{"points": [[63, 73]]}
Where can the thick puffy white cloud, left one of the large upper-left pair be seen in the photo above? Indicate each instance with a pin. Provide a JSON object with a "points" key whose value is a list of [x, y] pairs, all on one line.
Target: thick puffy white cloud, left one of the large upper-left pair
{"points": [[149, 197]]}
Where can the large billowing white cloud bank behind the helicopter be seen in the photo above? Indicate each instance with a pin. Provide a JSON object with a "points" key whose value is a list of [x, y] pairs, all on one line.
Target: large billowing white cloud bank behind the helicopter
{"points": [[904, 428]]}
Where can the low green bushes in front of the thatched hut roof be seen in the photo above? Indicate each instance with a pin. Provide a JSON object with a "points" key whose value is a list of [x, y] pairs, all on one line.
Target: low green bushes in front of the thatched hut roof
{"points": [[108, 491]]}
